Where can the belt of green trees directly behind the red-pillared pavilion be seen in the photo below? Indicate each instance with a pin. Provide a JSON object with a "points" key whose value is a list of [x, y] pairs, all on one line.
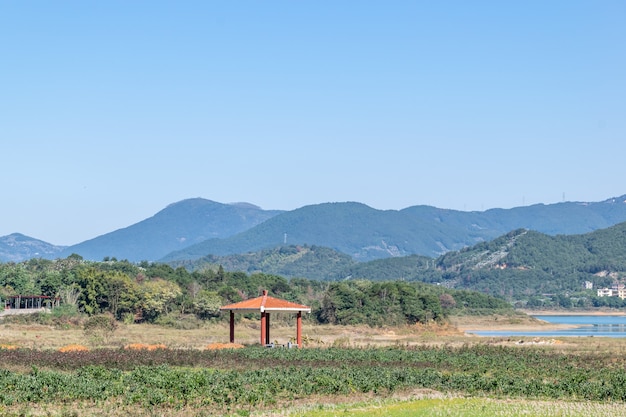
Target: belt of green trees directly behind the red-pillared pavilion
{"points": [[158, 293]]}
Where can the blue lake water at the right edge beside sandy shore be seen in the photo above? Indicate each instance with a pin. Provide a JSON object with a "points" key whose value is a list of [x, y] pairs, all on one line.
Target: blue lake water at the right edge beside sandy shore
{"points": [[597, 326]]}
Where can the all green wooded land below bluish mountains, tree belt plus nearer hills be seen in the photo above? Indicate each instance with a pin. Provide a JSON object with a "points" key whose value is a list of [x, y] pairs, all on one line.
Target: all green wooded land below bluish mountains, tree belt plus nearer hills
{"points": [[523, 267]]}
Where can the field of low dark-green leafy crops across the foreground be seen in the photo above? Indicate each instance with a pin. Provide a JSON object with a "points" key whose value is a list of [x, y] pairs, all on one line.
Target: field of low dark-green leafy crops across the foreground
{"points": [[186, 382]]}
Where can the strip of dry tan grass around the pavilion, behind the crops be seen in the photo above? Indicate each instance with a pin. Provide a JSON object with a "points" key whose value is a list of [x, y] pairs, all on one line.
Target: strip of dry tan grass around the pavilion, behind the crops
{"points": [[54, 336]]}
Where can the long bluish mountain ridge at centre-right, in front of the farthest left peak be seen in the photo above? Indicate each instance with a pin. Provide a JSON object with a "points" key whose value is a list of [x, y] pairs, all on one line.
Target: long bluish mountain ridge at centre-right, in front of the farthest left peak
{"points": [[365, 233]]}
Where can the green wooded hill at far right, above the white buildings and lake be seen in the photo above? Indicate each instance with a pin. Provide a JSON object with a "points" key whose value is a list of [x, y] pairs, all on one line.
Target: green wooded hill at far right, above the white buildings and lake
{"points": [[542, 270]]}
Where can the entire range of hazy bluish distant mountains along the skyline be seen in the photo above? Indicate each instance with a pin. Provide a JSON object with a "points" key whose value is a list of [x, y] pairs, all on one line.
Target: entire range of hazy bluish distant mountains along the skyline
{"points": [[193, 228]]}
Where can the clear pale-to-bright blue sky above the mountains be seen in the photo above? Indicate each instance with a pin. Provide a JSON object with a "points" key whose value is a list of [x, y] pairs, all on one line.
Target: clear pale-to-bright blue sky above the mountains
{"points": [[111, 110]]}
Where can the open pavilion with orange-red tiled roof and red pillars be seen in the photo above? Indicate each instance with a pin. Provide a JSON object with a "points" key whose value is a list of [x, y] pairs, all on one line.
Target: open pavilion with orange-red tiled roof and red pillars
{"points": [[266, 305]]}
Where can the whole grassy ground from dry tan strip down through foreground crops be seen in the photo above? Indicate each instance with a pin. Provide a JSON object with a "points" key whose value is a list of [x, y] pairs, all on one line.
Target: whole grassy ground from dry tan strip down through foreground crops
{"points": [[413, 370]]}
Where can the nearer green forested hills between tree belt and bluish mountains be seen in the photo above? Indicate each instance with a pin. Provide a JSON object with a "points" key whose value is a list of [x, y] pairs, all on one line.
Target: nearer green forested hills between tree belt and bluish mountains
{"points": [[524, 267]]}
